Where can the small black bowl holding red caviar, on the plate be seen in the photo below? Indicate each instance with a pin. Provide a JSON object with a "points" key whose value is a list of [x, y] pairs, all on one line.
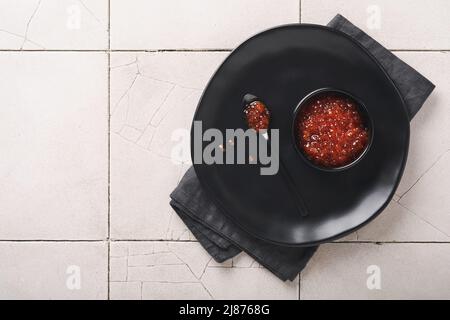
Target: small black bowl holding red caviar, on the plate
{"points": [[364, 113]]}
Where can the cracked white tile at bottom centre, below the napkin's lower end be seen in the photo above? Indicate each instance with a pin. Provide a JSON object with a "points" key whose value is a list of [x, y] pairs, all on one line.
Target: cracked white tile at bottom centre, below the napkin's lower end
{"points": [[183, 270]]}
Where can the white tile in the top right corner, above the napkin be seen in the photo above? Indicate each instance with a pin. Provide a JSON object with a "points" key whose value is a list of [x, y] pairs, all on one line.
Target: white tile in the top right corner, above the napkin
{"points": [[400, 24]]}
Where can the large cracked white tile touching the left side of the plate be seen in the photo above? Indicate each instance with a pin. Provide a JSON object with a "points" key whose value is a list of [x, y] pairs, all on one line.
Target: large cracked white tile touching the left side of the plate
{"points": [[154, 96]]}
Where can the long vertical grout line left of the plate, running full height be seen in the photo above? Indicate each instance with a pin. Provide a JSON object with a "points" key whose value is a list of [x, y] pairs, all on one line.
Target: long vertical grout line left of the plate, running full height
{"points": [[109, 150]]}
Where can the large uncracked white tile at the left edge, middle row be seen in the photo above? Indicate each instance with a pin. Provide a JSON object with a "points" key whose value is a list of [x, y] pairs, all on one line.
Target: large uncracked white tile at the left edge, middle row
{"points": [[53, 133]]}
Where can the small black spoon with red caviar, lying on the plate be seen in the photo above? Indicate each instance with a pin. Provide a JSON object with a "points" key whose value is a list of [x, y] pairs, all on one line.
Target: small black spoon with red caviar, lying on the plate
{"points": [[247, 100]]}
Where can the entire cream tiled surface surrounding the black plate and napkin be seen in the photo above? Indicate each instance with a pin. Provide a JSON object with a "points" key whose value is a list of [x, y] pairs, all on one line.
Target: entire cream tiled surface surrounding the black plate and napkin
{"points": [[97, 99]]}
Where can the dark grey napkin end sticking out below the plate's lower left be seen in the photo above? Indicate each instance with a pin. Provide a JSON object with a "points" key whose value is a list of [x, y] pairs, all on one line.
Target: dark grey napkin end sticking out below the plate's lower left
{"points": [[223, 239]]}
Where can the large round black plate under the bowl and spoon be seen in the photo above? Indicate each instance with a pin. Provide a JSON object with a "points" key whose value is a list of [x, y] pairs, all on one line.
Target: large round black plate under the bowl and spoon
{"points": [[282, 66]]}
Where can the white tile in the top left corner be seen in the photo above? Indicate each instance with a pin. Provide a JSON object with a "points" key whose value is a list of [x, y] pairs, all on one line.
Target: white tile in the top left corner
{"points": [[53, 24]]}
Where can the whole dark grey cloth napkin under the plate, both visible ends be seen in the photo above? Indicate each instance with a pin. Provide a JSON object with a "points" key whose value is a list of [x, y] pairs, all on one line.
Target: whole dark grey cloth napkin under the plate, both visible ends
{"points": [[223, 239]]}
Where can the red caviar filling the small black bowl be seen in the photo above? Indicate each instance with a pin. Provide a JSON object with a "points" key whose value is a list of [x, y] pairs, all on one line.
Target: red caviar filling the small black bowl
{"points": [[331, 132]]}
